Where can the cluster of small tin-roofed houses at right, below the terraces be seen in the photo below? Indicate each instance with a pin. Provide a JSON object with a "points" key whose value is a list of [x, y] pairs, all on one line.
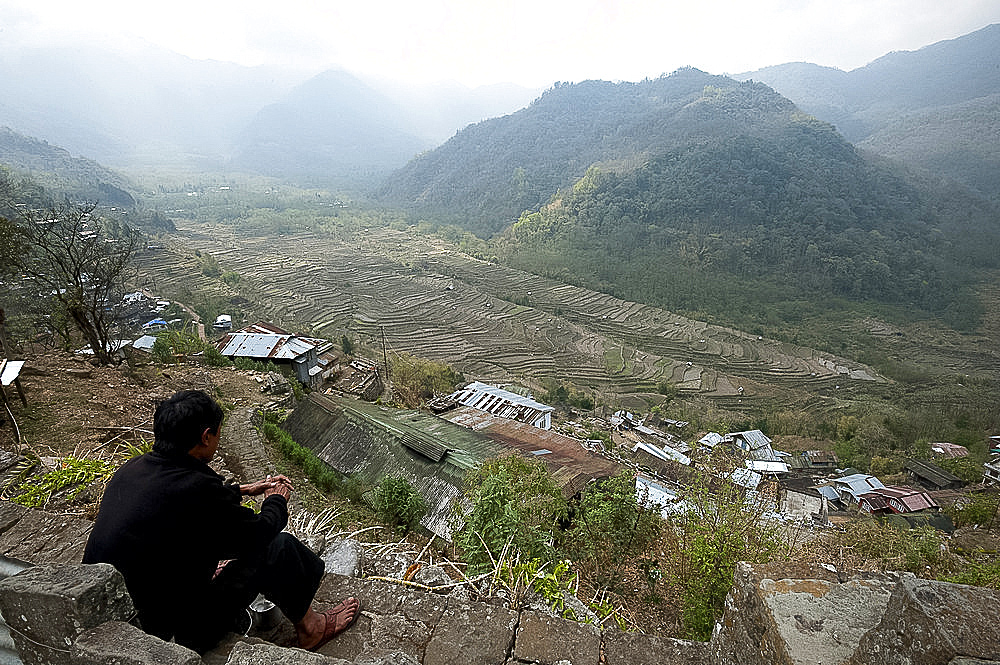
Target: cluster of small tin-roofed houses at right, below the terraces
{"points": [[801, 486]]}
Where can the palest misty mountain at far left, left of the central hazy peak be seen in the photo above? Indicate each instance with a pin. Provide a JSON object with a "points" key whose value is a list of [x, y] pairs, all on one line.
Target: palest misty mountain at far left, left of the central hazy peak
{"points": [[141, 106]]}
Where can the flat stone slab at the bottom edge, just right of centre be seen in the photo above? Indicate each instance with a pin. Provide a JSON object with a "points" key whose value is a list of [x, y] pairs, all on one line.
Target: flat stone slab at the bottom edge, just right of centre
{"points": [[548, 640]]}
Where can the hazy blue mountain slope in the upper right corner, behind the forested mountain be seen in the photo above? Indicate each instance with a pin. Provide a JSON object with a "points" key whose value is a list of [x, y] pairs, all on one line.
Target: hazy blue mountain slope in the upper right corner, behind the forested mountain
{"points": [[909, 105]]}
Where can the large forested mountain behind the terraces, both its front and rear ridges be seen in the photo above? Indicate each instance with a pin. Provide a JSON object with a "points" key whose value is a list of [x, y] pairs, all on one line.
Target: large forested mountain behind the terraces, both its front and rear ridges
{"points": [[703, 194]]}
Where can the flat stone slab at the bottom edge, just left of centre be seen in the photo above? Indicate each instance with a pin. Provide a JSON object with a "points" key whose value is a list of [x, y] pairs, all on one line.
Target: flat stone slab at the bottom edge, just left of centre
{"points": [[472, 633]]}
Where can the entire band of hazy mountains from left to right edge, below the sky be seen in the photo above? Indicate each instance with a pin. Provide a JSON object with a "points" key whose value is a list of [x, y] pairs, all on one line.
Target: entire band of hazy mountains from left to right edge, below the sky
{"points": [[691, 190]]}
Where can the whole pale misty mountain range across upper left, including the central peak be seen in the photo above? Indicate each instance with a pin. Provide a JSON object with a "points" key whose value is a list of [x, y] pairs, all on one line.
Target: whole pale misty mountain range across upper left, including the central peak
{"points": [[135, 105]]}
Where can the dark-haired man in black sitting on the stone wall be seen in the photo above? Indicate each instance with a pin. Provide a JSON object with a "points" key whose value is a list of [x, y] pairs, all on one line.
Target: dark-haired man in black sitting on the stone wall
{"points": [[167, 521]]}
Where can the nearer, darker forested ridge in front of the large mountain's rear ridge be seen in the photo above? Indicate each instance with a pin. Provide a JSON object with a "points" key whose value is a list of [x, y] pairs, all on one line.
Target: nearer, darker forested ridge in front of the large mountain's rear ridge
{"points": [[739, 227]]}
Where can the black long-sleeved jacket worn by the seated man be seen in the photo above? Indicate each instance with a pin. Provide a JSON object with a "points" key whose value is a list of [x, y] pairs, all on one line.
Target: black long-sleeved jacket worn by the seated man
{"points": [[165, 522]]}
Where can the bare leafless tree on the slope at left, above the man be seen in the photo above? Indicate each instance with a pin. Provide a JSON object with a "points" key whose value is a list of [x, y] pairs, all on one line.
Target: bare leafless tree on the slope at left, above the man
{"points": [[81, 262]]}
